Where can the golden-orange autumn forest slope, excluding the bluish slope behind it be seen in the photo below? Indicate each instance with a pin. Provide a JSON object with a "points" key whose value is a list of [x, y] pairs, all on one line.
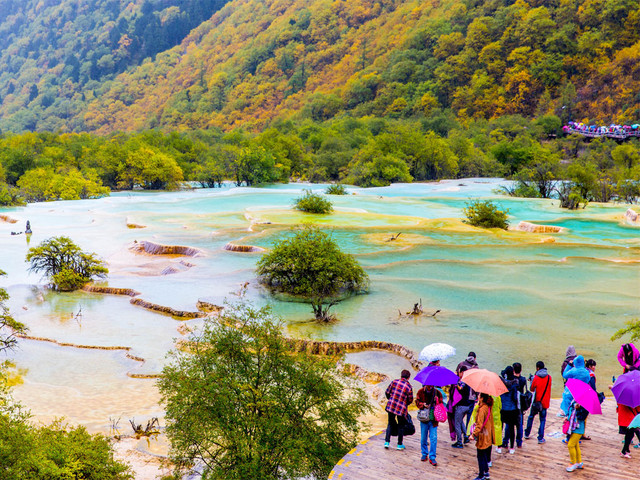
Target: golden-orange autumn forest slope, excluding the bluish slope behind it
{"points": [[260, 59]]}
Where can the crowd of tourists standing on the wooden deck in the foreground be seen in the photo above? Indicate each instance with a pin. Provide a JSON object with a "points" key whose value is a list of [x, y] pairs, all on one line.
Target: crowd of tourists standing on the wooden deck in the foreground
{"points": [[499, 420]]}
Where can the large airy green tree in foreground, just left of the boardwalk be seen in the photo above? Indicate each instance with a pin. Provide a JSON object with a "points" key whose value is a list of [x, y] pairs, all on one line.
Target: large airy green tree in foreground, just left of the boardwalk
{"points": [[242, 402]]}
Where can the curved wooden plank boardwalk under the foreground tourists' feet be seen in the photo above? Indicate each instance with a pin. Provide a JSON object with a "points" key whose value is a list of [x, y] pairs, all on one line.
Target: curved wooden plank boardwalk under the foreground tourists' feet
{"points": [[601, 456]]}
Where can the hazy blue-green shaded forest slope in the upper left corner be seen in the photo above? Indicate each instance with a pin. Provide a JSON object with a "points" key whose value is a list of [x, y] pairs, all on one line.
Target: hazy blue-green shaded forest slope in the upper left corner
{"points": [[55, 55]]}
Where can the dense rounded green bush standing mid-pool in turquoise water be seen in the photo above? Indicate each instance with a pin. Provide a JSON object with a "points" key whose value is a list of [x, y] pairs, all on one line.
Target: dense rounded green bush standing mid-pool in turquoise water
{"points": [[309, 265]]}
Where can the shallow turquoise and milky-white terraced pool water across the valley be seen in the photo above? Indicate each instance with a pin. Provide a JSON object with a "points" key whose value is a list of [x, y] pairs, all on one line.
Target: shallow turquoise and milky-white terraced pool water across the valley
{"points": [[505, 295]]}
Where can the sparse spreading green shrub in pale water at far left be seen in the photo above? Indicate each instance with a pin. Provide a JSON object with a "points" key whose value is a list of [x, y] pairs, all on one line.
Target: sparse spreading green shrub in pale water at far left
{"points": [[65, 264]]}
